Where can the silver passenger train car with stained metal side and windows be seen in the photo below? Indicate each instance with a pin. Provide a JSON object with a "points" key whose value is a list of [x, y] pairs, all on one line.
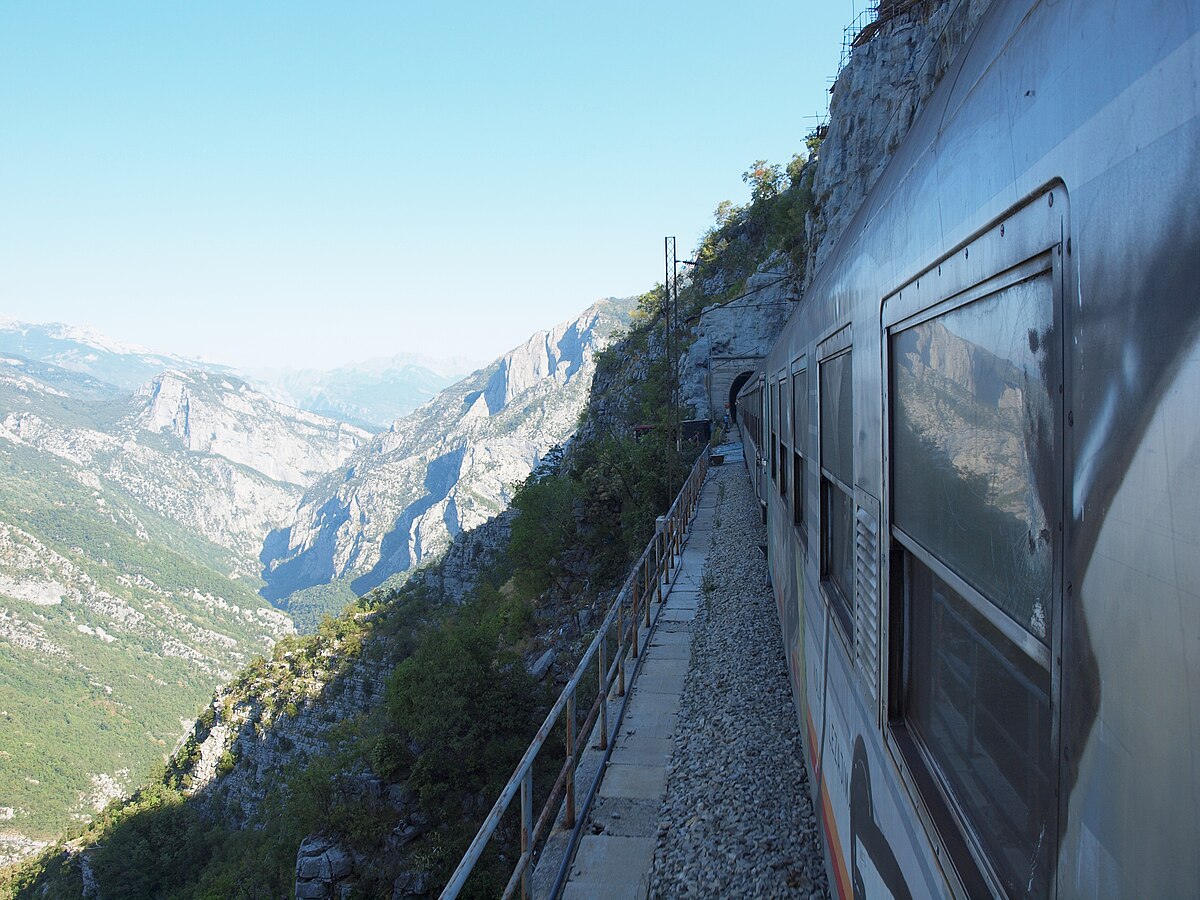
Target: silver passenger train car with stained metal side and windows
{"points": [[977, 445]]}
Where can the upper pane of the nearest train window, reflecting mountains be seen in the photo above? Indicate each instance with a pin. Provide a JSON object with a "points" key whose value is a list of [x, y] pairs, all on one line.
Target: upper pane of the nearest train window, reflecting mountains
{"points": [[974, 446]]}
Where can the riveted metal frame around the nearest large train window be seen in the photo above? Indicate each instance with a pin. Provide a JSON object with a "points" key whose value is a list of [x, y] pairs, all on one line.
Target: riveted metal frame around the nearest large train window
{"points": [[983, 266]]}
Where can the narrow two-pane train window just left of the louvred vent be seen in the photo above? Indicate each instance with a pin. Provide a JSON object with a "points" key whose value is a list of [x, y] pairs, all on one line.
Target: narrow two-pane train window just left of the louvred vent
{"points": [[837, 485]]}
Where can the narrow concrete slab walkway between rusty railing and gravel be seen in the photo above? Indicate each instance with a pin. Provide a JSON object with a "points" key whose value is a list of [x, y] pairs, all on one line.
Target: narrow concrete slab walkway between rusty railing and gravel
{"points": [[617, 850]]}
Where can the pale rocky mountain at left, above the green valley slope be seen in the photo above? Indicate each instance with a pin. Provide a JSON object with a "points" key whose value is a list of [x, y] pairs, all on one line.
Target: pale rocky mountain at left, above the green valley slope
{"points": [[201, 449]]}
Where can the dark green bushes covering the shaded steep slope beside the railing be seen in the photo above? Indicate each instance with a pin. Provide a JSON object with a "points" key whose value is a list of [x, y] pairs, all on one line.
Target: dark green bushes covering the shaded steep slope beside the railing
{"points": [[454, 709]]}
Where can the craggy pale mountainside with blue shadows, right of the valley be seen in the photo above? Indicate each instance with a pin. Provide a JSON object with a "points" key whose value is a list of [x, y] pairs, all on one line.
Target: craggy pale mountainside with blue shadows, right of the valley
{"points": [[448, 467]]}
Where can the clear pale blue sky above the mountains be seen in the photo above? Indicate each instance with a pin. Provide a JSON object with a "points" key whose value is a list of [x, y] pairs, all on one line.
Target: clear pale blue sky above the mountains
{"points": [[309, 184]]}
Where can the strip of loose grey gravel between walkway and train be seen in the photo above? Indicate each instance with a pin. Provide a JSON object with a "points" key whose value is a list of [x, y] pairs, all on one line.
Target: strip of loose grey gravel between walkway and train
{"points": [[737, 820]]}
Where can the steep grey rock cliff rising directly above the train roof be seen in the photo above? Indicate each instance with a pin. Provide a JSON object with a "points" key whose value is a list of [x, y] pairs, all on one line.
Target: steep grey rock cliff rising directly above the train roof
{"points": [[875, 101]]}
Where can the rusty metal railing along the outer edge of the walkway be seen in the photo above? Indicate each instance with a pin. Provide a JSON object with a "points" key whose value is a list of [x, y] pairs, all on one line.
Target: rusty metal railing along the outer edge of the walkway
{"points": [[640, 591]]}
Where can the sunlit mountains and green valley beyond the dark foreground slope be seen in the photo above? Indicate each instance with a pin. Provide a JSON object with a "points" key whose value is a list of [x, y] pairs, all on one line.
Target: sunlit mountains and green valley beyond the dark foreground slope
{"points": [[154, 508]]}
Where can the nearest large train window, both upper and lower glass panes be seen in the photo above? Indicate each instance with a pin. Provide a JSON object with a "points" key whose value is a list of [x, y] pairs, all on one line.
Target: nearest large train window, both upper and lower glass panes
{"points": [[976, 505]]}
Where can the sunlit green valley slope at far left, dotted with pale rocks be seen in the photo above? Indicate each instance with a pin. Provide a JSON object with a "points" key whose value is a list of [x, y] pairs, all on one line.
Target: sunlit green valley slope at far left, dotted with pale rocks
{"points": [[77, 703]]}
